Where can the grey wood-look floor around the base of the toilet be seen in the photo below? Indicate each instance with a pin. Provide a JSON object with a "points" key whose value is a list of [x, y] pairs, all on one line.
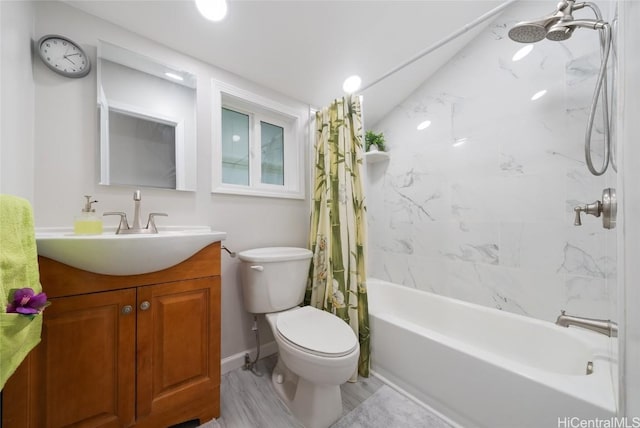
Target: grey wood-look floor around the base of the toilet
{"points": [[249, 401]]}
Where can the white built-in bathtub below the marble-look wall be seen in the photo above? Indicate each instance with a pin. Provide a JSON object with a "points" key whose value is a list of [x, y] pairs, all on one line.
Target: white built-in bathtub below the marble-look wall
{"points": [[485, 368]]}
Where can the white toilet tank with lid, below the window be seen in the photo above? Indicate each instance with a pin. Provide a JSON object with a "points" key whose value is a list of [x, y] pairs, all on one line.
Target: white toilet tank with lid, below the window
{"points": [[274, 278]]}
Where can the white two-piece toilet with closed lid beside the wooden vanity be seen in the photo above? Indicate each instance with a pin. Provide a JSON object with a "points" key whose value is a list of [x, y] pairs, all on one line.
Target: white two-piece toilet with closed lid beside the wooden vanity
{"points": [[317, 351]]}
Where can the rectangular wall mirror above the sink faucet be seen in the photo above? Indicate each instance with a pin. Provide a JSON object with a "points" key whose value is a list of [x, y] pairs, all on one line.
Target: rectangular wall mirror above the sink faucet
{"points": [[147, 121]]}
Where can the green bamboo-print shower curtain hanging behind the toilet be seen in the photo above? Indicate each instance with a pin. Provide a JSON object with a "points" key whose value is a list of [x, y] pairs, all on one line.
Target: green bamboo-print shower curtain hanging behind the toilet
{"points": [[337, 277]]}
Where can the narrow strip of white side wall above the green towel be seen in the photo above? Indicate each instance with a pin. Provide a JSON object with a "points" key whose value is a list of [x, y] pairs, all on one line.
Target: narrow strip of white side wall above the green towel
{"points": [[16, 99]]}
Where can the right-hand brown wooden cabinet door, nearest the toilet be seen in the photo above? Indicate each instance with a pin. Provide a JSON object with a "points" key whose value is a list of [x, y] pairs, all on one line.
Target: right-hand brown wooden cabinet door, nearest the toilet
{"points": [[178, 352]]}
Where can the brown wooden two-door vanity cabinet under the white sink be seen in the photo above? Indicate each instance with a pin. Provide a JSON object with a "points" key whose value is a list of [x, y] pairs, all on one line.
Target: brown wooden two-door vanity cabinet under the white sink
{"points": [[123, 351]]}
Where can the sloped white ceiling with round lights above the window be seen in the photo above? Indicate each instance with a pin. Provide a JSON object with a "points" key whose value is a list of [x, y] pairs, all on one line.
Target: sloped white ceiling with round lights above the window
{"points": [[306, 48]]}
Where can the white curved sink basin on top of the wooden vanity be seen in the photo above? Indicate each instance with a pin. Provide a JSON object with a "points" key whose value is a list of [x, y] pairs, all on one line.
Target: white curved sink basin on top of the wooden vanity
{"points": [[111, 254]]}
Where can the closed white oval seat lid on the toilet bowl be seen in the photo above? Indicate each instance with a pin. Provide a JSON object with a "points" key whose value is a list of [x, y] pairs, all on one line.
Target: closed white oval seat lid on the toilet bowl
{"points": [[317, 331]]}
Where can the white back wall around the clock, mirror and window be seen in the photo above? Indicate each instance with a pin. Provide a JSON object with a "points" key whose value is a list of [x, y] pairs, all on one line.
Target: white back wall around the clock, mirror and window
{"points": [[66, 144]]}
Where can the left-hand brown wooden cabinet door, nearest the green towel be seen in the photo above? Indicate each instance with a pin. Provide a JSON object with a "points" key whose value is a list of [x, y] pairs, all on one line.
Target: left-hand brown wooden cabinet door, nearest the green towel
{"points": [[82, 373]]}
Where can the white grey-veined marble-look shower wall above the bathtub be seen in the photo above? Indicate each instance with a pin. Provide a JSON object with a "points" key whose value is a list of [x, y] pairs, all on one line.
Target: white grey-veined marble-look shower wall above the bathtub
{"points": [[479, 205]]}
